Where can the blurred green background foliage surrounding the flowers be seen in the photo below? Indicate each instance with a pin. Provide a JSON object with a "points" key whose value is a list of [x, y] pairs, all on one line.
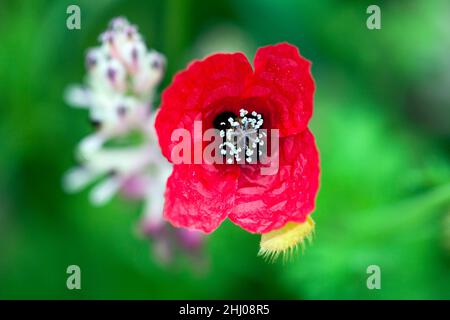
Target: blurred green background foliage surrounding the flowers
{"points": [[382, 122]]}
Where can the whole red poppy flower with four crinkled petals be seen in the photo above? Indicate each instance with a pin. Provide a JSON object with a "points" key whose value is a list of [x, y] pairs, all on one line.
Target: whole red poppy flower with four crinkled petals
{"points": [[279, 90]]}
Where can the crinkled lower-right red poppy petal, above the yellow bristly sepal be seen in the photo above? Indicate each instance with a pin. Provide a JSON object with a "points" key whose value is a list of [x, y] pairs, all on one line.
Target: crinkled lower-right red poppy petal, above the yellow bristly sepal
{"points": [[266, 202]]}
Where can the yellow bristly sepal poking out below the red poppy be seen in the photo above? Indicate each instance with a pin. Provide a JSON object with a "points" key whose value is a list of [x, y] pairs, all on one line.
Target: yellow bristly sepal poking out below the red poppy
{"points": [[286, 239]]}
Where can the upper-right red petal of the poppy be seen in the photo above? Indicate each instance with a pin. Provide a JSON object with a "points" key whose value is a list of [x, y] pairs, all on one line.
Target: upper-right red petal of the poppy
{"points": [[283, 77]]}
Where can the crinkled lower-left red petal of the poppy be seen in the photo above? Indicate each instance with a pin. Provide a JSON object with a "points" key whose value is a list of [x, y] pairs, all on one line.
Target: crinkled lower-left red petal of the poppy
{"points": [[200, 197]]}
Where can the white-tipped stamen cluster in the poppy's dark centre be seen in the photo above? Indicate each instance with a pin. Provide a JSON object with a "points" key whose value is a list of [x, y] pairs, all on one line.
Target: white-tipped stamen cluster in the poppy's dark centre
{"points": [[242, 138]]}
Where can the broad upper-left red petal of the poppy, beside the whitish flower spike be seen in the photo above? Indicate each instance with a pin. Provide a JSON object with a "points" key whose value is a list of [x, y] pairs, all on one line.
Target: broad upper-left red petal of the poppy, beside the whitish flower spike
{"points": [[195, 91]]}
